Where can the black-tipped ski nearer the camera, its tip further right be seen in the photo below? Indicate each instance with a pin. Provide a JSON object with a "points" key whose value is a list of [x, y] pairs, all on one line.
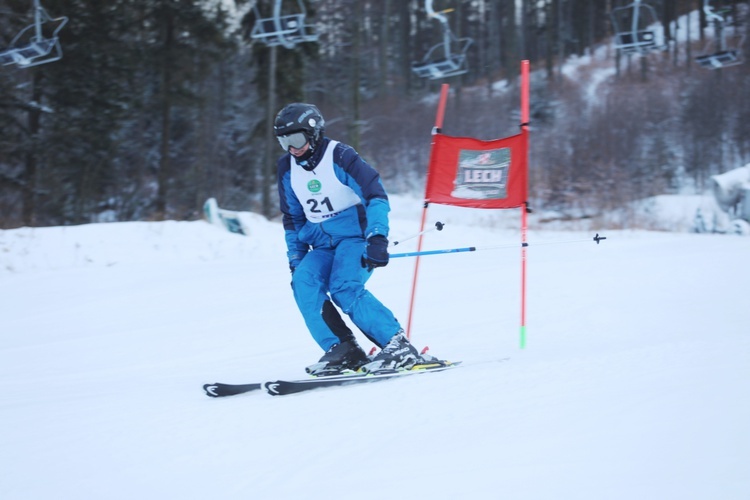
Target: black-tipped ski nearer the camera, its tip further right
{"points": [[286, 387]]}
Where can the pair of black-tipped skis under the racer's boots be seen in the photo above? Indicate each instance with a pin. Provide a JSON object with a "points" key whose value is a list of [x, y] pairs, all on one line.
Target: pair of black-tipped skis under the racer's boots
{"points": [[285, 387]]}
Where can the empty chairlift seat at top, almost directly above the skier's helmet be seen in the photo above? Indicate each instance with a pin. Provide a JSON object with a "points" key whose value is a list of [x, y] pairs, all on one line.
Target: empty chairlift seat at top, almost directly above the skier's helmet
{"points": [[283, 28]]}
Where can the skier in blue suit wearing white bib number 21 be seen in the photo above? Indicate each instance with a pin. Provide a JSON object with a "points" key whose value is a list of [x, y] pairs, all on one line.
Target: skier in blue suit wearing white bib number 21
{"points": [[335, 217]]}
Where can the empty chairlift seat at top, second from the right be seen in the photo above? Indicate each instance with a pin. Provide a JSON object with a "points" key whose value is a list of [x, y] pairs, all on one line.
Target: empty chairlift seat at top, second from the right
{"points": [[634, 28]]}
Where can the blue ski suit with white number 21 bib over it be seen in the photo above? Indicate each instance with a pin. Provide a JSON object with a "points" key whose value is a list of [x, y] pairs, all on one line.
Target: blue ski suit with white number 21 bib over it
{"points": [[328, 212]]}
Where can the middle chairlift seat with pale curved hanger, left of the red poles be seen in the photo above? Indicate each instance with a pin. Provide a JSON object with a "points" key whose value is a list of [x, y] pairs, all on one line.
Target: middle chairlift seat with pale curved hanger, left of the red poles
{"points": [[444, 59]]}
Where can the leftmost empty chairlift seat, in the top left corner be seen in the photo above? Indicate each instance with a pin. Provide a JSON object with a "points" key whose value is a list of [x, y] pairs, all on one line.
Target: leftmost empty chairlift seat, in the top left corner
{"points": [[31, 46]]}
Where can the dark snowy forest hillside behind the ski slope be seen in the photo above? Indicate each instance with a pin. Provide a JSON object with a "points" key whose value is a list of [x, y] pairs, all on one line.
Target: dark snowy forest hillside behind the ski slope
{"points": [[157, 105]]}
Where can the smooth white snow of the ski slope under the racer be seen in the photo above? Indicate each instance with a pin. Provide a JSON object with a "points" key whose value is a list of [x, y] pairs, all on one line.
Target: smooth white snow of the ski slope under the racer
{"points": [[634, 382]]}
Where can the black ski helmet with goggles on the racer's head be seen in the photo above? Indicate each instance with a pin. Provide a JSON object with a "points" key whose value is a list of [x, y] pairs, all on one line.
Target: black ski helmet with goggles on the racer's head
{"points": [[299, 118]]}
